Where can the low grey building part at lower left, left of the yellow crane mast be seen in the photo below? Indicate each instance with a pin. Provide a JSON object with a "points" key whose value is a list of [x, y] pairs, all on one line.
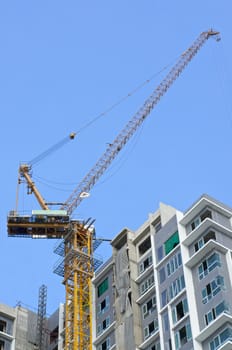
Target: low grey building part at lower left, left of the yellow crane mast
{"points": [[20, 329]]}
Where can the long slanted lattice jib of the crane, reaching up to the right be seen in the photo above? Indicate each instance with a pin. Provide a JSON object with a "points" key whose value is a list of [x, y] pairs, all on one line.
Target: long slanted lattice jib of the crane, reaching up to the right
{"points": [[116, 146]]}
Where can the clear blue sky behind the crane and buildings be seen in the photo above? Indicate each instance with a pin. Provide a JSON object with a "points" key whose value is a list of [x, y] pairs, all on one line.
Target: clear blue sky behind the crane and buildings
{"points": [[64, 63]]}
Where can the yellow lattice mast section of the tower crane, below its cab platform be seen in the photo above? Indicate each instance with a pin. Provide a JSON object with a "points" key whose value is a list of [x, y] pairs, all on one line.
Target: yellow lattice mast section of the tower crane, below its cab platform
{"points": [[77, 267]]}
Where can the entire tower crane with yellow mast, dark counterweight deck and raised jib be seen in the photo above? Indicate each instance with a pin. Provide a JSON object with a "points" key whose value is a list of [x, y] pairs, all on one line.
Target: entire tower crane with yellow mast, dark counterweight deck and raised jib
{"points": [[78, 236]]}
